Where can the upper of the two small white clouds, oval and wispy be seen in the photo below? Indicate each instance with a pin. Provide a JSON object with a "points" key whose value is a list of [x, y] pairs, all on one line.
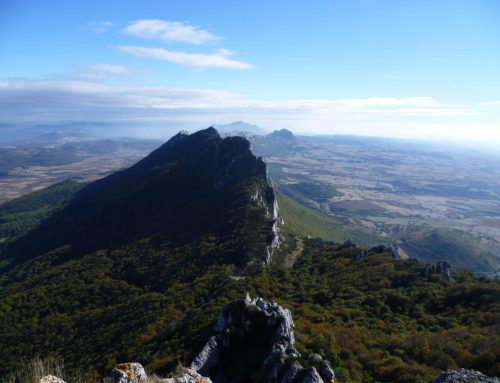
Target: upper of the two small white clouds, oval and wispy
{"points": [[173, 31]]}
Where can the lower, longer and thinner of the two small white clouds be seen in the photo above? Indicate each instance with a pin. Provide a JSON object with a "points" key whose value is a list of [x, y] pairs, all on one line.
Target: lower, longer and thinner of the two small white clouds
{"points": [[221, 59]]}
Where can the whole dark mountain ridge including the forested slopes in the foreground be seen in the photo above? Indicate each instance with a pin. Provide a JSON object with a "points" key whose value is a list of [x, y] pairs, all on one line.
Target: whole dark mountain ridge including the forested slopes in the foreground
{"points": [[136, 267]]}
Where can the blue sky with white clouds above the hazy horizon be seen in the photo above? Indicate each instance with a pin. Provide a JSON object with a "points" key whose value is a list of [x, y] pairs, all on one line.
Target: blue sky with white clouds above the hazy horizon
{"points": [[418, 69]]}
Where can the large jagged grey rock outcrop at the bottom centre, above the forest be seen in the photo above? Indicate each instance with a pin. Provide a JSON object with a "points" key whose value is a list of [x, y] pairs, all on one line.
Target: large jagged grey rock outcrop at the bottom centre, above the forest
{"points": [[254, 341]]}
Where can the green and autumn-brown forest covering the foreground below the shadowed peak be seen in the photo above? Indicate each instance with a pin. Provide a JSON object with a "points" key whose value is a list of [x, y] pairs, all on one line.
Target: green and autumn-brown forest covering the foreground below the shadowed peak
{"points": [[376, 320]]}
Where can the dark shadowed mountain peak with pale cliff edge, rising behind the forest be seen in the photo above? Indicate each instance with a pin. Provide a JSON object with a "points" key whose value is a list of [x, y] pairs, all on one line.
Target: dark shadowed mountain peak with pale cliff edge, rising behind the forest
{"points": [[192, 187]]}
